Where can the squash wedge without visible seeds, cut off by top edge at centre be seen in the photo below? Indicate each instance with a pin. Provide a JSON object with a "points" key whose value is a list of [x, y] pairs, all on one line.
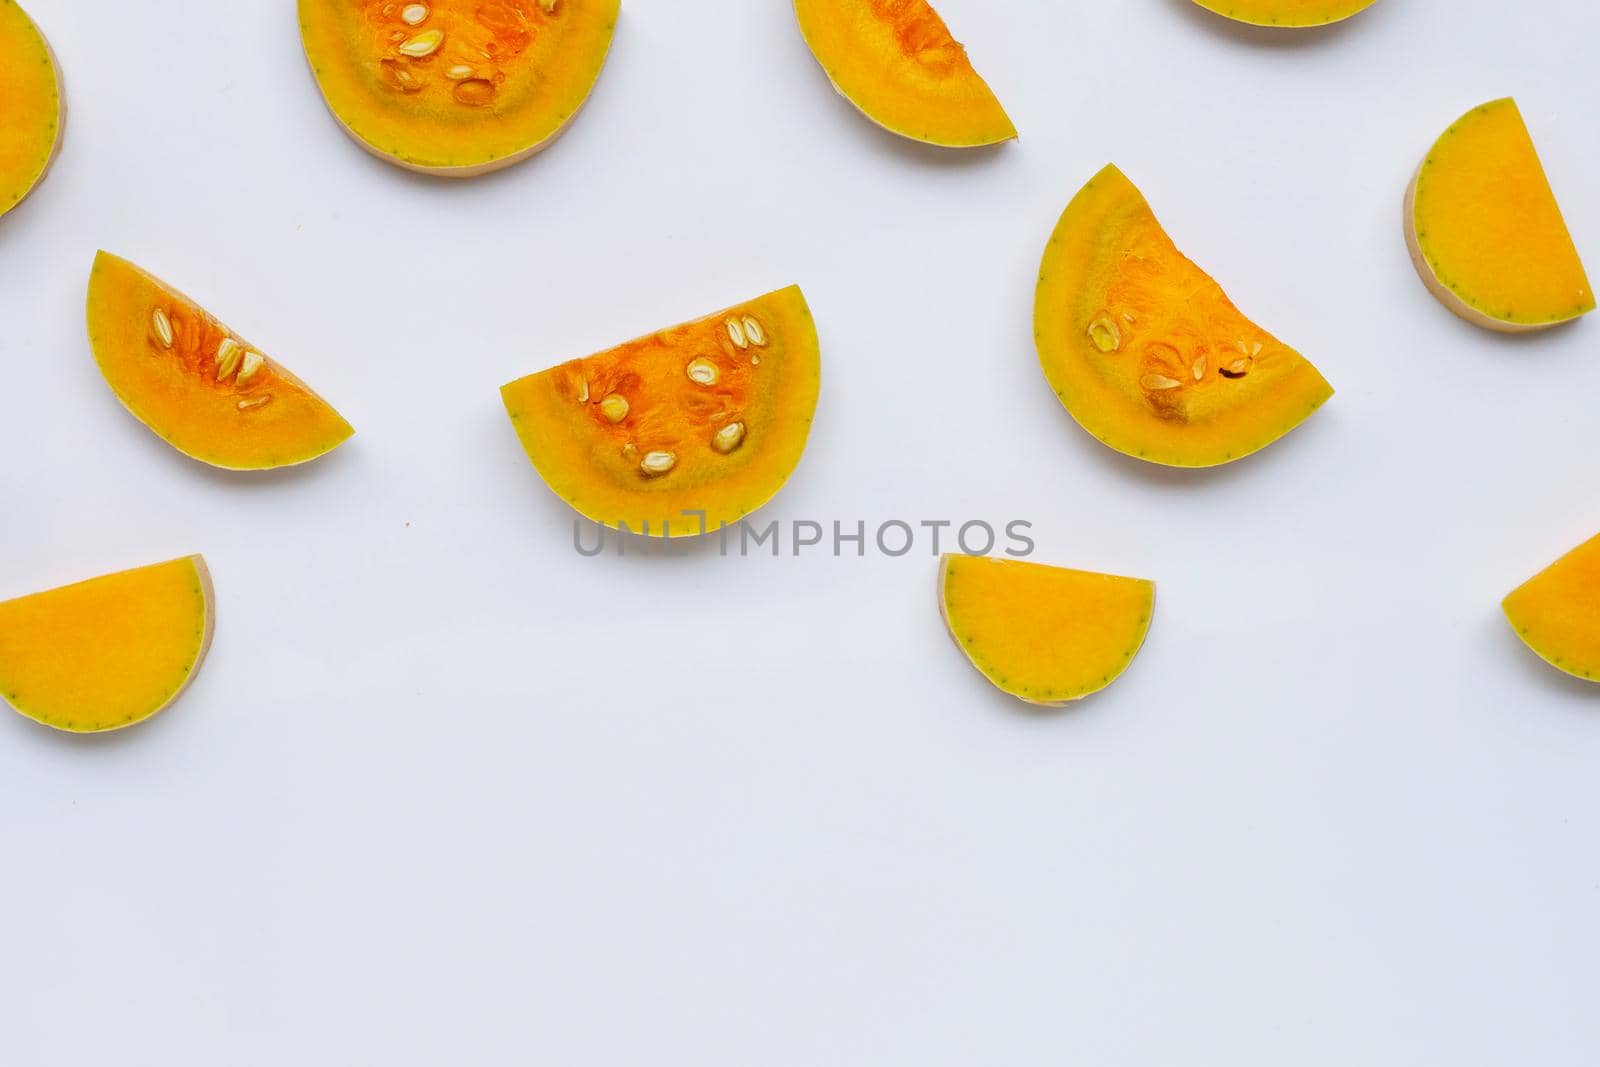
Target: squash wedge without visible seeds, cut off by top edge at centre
{"points": [[897, 62]]}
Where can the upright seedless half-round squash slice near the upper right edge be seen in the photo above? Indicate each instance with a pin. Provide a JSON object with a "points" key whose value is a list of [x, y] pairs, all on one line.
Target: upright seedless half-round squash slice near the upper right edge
{"points": [[1486, 231]]}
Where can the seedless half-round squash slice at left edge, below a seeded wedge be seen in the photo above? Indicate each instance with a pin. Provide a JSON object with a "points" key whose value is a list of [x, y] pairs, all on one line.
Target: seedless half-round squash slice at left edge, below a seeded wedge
{"points": [[111, 652]]}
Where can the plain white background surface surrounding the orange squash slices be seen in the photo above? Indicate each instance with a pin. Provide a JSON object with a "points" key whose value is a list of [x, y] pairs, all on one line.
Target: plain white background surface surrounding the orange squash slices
{"points": [[449, 793]]}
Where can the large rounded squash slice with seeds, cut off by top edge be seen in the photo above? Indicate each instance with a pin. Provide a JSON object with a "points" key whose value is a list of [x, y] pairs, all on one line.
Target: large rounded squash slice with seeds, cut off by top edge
{"points": [[457, 87]]}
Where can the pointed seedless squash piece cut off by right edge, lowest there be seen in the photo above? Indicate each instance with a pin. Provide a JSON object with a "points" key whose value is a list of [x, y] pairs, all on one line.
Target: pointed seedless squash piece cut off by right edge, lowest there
{"points": [[1558, 612]]}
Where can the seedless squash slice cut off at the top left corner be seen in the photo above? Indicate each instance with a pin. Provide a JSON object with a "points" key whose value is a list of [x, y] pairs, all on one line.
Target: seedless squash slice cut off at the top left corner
{"points": [[34, 102]]}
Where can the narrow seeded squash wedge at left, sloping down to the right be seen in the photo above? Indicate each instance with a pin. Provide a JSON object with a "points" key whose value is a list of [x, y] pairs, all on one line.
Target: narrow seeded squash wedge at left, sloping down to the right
{"points": [[202, 390]]}
